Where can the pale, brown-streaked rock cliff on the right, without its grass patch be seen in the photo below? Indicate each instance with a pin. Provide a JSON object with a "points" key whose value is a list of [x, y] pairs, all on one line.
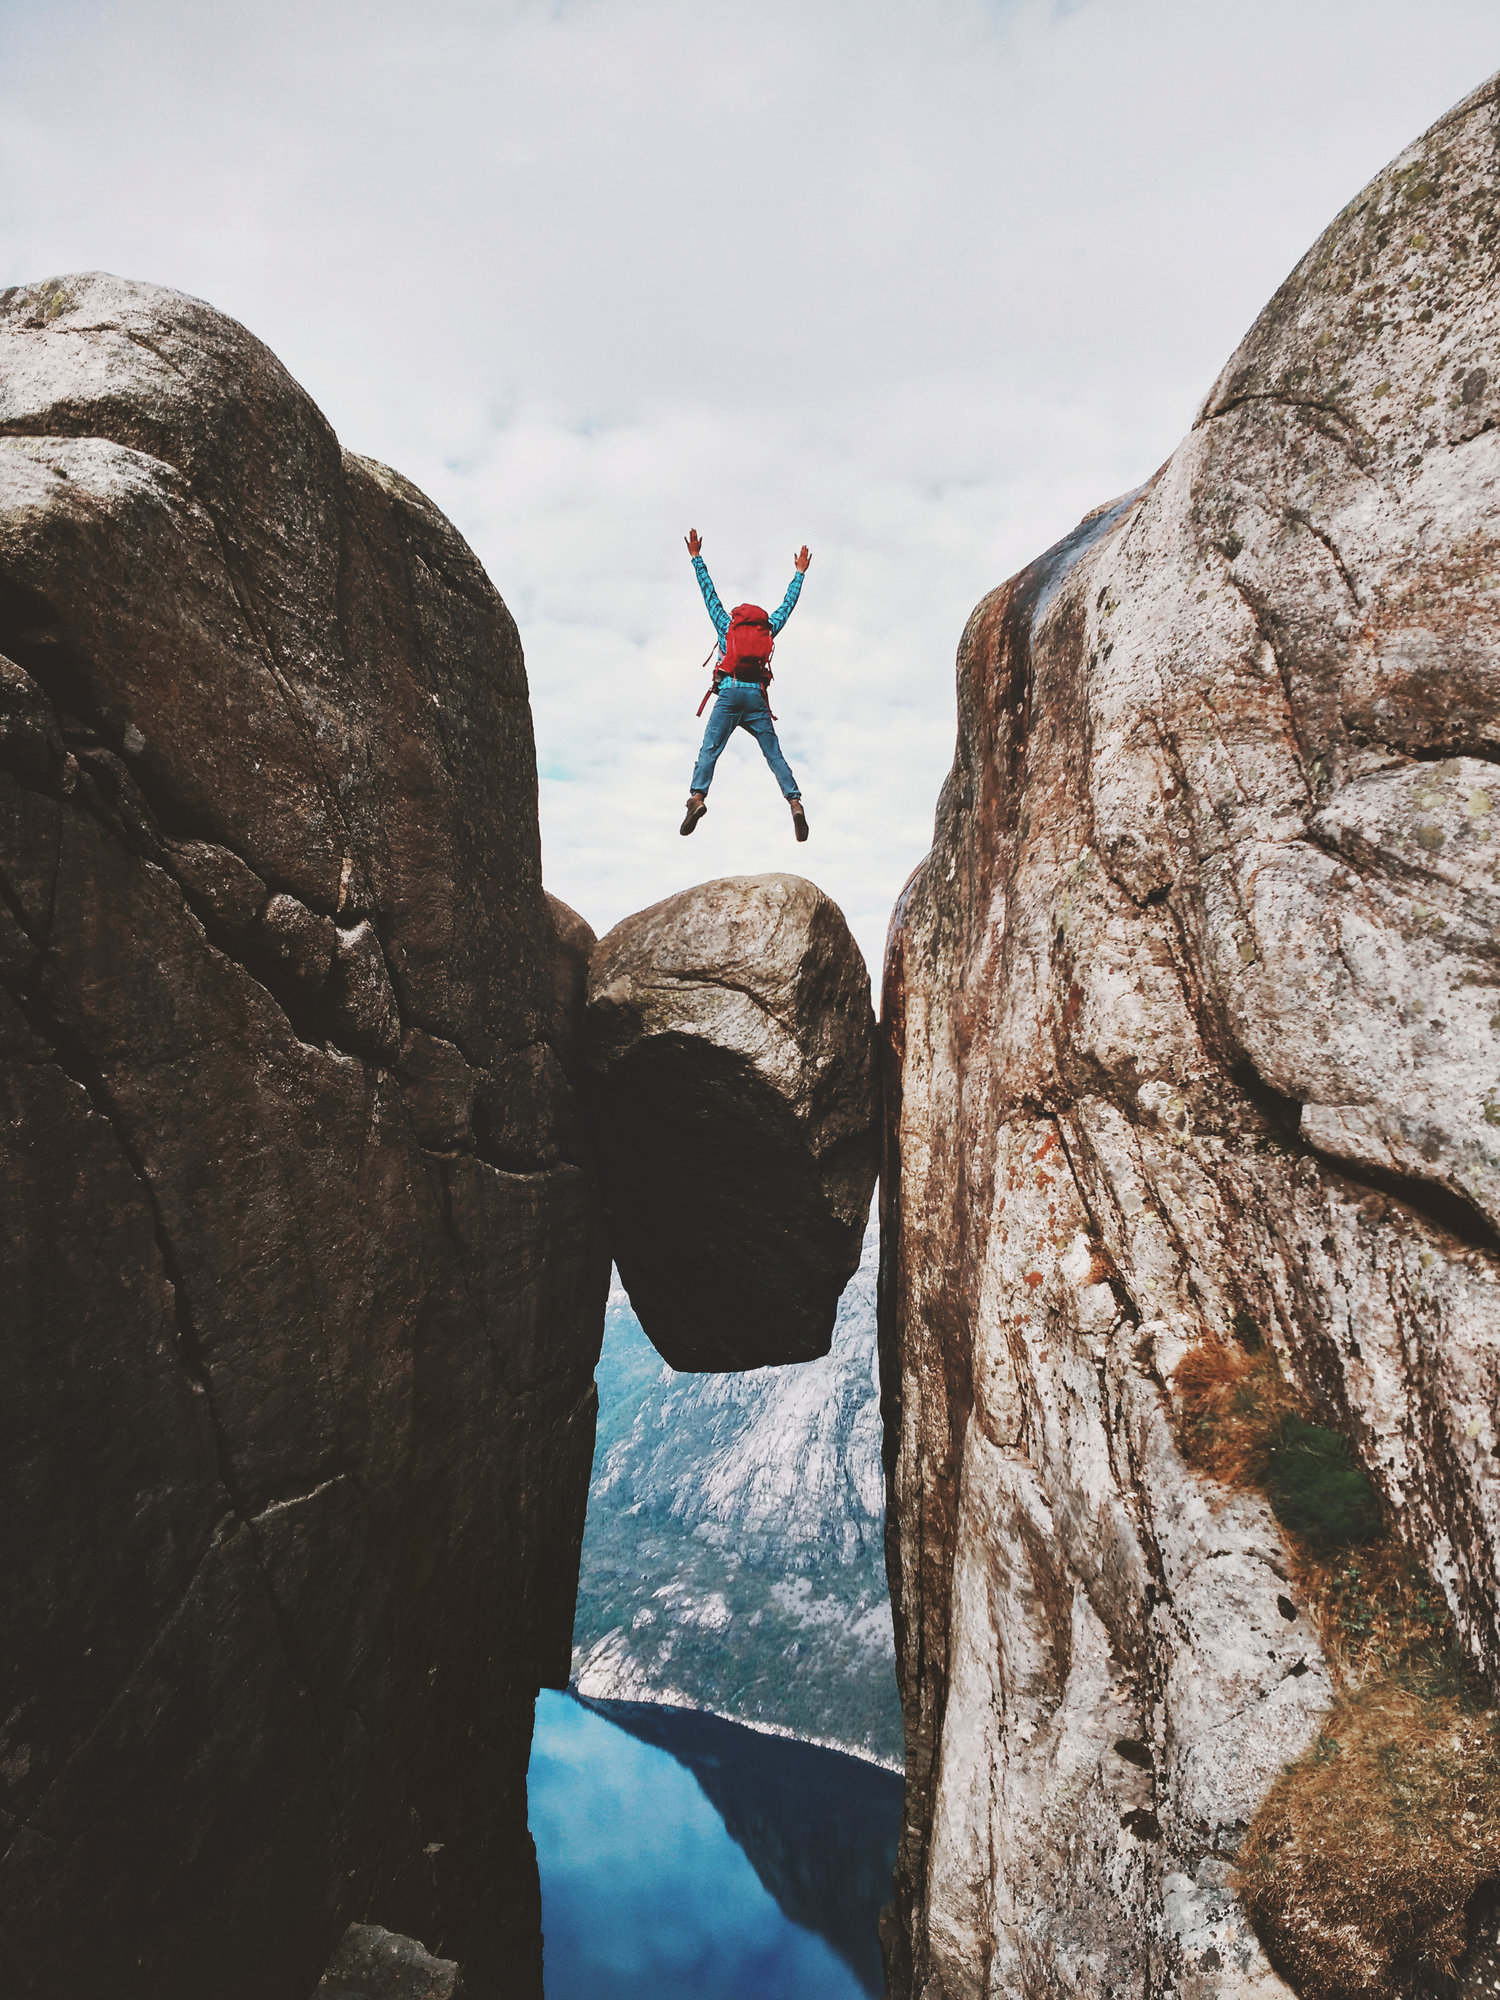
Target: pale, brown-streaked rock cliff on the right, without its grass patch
{"points": [[1195, 1027]]}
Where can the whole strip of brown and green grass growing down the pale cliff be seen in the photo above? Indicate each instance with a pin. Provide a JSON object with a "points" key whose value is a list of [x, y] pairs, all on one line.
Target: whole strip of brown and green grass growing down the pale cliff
{"points": [[1367, 1851]]}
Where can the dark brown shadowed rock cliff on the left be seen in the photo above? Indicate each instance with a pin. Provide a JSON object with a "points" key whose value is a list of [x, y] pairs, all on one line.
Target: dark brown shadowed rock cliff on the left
{"points": [[305, 1289]]}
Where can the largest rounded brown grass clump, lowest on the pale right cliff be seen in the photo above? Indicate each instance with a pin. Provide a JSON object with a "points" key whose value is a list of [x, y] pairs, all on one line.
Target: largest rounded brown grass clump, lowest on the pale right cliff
{"points": [[1367, 1851]]}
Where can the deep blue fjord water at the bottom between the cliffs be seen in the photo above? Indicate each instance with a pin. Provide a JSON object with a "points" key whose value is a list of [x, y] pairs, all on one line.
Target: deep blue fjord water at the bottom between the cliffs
{"points": [[691, 1859]]}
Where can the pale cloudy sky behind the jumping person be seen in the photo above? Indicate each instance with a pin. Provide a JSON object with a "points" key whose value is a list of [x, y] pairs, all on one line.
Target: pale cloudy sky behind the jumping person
{"points": [[917, 285]]}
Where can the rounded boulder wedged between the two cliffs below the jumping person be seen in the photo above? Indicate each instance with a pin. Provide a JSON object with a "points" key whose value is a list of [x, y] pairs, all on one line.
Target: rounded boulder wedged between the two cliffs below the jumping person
{"points": [[731, 1055]]}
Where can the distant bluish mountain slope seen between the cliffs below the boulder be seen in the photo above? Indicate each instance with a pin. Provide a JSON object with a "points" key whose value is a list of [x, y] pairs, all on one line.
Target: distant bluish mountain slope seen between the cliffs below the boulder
{"points": [[735, 1547]]}
